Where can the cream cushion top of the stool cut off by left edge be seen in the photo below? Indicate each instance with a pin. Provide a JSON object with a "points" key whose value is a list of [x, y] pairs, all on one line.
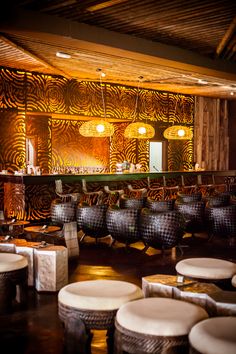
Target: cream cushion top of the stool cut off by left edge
{"points": [[12, 261]]}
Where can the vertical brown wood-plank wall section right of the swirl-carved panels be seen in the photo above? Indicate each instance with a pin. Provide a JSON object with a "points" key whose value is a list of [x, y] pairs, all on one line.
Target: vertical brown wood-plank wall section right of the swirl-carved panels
{"points": [[211, 137]]}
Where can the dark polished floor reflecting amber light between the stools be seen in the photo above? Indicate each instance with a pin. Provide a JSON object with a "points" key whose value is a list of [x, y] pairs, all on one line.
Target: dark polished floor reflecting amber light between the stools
{"points": [[38, 329]]}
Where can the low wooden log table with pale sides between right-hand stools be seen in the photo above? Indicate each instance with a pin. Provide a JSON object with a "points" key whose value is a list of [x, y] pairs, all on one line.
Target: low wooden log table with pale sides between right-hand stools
{"points": [[216, 301]]}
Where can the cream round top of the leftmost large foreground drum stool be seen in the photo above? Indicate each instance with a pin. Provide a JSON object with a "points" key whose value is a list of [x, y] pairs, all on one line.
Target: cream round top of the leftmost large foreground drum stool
{"points": [[99, 294]]}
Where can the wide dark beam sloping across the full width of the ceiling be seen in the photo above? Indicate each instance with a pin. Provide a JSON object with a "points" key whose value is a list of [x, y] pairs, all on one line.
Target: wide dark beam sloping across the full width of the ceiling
{"points": [[103, 41]]}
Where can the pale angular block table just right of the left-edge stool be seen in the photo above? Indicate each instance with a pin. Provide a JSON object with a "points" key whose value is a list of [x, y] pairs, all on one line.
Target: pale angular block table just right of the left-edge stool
{"points": [[51, 268]]}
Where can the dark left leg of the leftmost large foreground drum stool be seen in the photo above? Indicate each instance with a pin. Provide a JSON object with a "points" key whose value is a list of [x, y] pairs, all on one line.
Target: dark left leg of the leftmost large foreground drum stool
{"points": [[76, 337]]}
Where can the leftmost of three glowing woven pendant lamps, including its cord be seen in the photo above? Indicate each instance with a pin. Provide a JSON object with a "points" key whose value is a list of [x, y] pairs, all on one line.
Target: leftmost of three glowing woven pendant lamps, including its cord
{"points": [[98, 128]]}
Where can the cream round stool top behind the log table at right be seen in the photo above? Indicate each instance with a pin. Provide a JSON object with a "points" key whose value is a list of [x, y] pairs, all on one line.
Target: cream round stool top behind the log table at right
{"points": [[206, 268]]}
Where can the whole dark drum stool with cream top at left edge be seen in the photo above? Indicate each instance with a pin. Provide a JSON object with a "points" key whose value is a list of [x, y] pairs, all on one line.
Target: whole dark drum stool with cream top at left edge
{"points": [[13, 272]]}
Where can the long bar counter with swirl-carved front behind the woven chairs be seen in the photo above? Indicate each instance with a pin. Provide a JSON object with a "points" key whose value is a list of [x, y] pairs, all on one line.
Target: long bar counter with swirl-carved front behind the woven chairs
{"points": [[28, 197]]}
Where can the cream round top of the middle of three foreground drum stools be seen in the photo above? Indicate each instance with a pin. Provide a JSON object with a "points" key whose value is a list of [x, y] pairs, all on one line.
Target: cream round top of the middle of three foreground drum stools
{"points": [[160, 316]]}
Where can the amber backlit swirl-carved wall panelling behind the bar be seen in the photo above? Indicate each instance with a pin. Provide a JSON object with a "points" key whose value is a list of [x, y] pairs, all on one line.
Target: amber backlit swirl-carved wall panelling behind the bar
{"points": [[31, 92]]}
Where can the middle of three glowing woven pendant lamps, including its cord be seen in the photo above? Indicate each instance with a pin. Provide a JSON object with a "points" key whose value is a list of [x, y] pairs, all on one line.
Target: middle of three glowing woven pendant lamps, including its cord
{"points": [[139, 130]]}
